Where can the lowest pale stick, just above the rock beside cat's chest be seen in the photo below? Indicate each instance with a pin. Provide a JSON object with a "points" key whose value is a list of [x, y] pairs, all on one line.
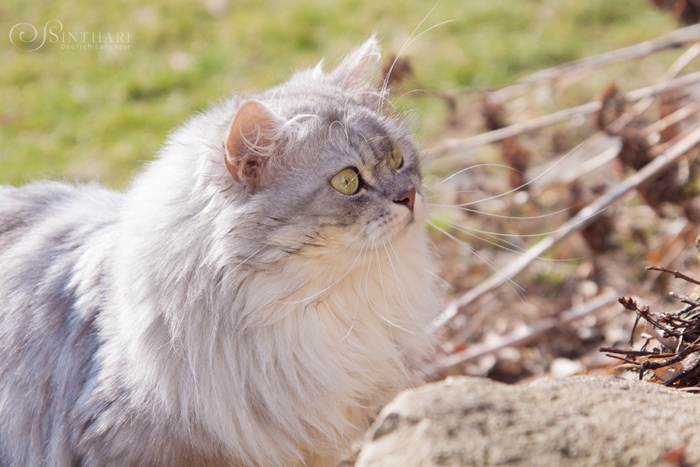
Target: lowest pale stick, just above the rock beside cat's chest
{"points": [[527, 334]]}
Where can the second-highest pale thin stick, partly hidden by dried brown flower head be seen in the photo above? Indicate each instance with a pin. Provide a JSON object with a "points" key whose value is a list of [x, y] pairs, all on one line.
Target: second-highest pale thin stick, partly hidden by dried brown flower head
{"points": [[482, 139]]}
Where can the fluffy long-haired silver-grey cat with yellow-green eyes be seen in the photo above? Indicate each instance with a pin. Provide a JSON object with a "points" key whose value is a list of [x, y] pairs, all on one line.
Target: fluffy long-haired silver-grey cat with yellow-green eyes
{"points": [[248, 301]]}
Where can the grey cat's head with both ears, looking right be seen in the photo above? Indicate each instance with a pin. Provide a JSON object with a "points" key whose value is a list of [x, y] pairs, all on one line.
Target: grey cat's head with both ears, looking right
{"points": [[321, 159]]}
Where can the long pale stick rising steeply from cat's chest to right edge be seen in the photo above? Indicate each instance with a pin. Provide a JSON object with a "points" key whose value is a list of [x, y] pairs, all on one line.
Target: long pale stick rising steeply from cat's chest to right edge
{"points": [[684, 144]]}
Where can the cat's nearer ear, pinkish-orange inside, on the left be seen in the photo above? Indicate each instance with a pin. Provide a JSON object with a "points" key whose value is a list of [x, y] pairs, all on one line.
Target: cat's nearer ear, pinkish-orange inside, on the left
{"points": [[253, 138]]}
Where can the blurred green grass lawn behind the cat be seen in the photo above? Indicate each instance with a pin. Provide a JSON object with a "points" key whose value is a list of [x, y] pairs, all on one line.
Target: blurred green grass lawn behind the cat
{"points": [[97, 115]]}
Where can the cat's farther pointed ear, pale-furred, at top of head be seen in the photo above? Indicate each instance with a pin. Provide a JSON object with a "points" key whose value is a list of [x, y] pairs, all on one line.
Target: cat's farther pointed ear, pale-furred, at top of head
{"points": [[360, 66]]}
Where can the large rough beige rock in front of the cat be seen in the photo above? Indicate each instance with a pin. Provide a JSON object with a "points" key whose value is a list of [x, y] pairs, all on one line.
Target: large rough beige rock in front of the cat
{"points": [[577, 421]]}
